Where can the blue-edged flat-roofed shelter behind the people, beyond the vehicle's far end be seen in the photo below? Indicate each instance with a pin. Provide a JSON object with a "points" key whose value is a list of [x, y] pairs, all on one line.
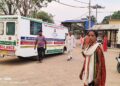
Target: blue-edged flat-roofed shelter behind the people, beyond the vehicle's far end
{"points": [[77, 26]]}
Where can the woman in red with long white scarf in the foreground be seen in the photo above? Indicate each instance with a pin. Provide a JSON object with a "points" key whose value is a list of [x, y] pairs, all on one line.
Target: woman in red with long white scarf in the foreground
{"points": [[94, 70]]}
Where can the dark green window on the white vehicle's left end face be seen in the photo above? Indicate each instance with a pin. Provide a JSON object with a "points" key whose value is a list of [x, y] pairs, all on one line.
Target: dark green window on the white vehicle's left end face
{"points": [[10, 28]]}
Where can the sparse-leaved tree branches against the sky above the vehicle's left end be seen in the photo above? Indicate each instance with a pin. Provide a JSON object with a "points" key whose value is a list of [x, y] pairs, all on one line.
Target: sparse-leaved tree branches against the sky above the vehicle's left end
{"points": [[24, 7]]}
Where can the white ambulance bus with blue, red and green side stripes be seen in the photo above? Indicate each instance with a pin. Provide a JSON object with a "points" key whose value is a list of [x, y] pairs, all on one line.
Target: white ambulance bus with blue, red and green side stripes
{"points": [[18, 34]]}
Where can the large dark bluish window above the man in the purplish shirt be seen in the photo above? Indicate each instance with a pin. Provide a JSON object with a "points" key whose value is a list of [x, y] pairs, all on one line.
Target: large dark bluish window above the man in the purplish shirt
{"points": [[35, 27]]}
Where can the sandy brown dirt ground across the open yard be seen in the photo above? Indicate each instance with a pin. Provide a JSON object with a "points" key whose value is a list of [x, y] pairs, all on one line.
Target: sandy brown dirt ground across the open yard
{"points": [[54, 71]]}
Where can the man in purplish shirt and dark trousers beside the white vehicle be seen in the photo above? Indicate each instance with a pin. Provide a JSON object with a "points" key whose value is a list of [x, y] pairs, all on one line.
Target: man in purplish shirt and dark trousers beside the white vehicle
{"points": [[40, 43]]}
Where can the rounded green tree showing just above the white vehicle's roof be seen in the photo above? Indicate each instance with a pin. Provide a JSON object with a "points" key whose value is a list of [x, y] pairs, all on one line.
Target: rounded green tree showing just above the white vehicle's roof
{"points": [[44, 16]]}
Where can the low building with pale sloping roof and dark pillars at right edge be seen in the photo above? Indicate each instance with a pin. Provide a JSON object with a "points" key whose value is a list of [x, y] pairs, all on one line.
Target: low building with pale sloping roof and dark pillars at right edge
{"points": [[111, 30]]}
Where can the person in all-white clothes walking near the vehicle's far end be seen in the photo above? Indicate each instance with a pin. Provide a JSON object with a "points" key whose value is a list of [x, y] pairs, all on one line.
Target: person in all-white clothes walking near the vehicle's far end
{"points": [[70, 44]]}
